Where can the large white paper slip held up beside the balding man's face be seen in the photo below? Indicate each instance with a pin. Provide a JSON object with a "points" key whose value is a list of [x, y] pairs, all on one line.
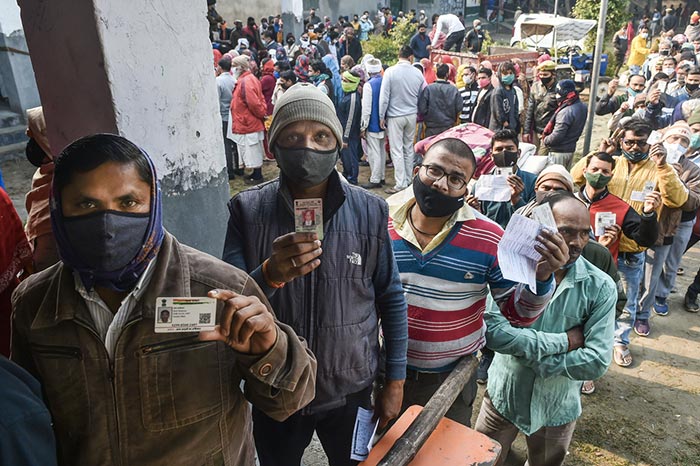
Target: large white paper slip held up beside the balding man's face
{"points": [[517, 256]]}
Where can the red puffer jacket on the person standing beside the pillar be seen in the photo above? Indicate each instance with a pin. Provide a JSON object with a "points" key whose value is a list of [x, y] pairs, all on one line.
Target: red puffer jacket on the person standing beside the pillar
{"points": [[248, 106]]}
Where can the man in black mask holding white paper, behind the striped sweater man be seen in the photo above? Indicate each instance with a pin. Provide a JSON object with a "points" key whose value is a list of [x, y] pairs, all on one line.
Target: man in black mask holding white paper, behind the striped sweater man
{"points": [[506, 188]]}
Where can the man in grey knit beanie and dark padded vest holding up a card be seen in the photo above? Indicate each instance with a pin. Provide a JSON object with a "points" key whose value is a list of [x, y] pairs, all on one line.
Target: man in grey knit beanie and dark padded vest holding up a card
{"points": [[332, 289]]}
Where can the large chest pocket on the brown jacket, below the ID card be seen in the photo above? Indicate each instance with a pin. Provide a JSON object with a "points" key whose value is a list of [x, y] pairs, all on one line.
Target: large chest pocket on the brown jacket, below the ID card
{"points": [[180, 383]]}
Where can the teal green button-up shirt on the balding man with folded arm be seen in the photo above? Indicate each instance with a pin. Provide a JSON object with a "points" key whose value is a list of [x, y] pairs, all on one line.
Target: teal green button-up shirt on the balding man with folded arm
{"points": [[533, 381]]}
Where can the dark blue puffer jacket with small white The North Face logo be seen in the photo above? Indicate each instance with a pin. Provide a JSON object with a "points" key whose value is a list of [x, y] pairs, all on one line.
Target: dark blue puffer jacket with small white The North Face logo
{"points": [[337, 306]]}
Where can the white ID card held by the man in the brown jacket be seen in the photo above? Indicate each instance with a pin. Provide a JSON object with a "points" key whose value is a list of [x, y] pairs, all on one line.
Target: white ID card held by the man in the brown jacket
{"points": [[187, 314]]}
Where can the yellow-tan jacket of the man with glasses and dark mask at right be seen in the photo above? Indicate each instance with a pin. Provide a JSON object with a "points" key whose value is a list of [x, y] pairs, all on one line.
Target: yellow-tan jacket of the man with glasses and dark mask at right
{"points": [[629, 177]]}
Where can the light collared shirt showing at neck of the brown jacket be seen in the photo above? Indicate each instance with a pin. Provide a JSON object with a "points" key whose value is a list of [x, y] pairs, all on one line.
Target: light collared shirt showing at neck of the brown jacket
{"points": [[109, 325]]}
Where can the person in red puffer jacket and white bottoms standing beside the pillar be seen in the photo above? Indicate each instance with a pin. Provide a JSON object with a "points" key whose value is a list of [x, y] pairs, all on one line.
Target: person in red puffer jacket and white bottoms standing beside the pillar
{"points": [[248, 109]]}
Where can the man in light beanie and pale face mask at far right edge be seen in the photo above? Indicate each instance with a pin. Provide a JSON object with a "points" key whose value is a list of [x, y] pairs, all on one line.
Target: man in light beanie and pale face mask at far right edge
{"points": [[676, 225]]}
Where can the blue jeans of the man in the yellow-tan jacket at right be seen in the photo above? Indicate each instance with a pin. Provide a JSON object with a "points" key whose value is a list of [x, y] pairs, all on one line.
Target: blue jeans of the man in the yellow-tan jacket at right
{"points": [[631, 268]]}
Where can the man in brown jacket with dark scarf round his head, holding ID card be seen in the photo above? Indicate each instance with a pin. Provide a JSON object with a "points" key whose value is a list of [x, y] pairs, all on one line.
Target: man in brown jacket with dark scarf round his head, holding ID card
{"points": [[118, 392]]}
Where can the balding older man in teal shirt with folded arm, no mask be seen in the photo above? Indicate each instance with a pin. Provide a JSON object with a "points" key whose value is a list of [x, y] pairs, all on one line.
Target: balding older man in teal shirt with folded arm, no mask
{"points": [[535, 380]]}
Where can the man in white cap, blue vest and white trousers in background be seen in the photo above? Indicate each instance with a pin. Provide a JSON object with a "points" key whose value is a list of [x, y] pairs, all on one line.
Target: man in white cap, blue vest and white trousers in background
{"points": [[373, 132]]}
